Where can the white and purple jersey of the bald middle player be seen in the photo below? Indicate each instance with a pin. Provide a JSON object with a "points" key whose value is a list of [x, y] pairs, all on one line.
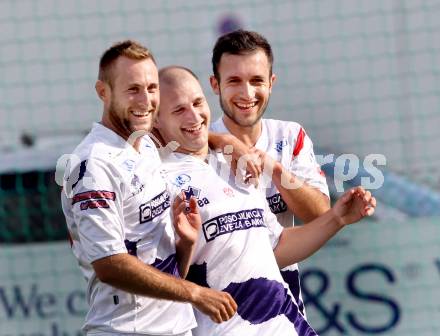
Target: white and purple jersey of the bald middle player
{"points": [[234, 252]]}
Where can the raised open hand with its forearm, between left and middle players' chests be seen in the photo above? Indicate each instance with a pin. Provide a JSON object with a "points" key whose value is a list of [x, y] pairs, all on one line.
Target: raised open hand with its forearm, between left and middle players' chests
{"points": [[187, 222]]}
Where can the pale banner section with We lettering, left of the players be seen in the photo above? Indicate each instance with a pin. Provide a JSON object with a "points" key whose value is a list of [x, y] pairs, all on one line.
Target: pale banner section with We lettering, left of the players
{"points": [[42, 292]]}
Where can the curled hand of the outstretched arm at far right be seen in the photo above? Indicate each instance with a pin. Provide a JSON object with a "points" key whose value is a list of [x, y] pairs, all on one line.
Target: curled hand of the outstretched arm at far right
{"points": [[355, 204]]}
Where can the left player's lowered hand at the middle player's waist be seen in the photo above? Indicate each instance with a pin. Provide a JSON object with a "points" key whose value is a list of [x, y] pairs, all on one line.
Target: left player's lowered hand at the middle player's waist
{"points": [[219, 306]]}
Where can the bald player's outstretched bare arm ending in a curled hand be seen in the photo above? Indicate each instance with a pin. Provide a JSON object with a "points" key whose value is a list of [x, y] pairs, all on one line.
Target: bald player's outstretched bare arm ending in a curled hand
{"points": [[298, 243]]}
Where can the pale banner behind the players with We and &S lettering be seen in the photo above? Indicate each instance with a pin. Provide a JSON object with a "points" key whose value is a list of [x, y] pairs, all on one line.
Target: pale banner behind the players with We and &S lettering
{"points": [[376, 278]]}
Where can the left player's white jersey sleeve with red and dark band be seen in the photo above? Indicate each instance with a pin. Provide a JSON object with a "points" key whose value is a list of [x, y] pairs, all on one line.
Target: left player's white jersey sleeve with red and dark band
{"points": [[96, 203]]}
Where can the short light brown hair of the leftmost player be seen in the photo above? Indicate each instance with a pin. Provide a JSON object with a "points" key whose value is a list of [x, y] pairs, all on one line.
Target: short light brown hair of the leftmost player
{"points": [[127, 48]]}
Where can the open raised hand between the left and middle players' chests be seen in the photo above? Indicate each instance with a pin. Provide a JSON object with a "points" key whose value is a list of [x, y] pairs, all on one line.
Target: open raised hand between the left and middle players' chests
{"points": [[186, 219]]}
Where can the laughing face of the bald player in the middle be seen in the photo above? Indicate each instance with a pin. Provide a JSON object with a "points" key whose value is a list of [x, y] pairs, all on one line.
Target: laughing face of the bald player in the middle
{"points": [[184, 114]]}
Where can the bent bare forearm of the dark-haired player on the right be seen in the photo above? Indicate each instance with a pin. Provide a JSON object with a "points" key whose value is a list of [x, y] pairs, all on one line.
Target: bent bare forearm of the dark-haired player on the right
{"points": [[305, 201]]}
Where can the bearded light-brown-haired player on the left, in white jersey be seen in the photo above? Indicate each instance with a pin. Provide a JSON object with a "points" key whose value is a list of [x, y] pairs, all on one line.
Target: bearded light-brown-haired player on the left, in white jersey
{"points": [[118, 213]]}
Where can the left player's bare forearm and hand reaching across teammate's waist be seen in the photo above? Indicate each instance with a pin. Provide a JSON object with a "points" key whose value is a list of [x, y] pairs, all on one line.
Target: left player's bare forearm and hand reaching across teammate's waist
{"points": [[128, 273]]}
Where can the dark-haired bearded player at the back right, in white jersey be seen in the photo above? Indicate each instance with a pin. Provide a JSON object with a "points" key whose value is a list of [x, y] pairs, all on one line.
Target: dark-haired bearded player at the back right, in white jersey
{"points": [[243, 79]]}
